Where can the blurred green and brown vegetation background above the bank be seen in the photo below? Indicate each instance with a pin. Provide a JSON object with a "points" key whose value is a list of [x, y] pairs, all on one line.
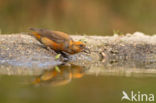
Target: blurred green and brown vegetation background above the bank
{"points": [[92, 17]]}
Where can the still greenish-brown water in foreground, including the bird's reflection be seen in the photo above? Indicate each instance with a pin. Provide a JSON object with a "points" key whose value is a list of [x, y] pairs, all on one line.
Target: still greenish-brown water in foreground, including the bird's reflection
{"points": [[71, 84]]}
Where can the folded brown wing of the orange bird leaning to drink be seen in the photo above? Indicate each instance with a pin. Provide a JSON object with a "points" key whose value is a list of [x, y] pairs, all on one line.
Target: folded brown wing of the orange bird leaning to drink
{"points": [[56, 36]]}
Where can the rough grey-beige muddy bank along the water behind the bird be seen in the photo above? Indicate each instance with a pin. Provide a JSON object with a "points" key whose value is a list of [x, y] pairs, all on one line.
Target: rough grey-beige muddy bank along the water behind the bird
{"points": [[130, 51]]}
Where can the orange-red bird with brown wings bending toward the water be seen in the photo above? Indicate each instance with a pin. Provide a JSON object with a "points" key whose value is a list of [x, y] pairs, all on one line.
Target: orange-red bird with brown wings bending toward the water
{"points": [[58, 41]]}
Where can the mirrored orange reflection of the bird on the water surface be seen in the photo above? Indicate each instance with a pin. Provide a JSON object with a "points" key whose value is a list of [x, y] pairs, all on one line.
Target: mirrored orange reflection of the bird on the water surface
{"points": [[55, 78]]}
